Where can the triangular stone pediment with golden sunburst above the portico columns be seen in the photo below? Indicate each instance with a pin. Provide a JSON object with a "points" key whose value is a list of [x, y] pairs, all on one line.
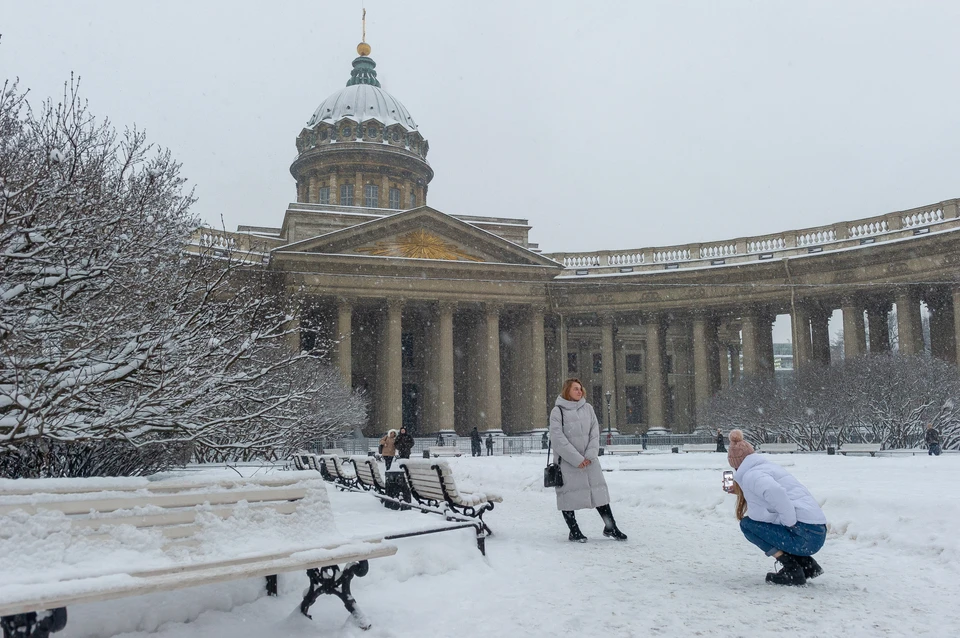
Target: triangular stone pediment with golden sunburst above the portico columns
{"points": [[420, 233]]}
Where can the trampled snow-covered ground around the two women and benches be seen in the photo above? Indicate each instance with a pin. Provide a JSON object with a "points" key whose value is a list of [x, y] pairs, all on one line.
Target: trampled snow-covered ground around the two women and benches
{"points": [[892, 563]]}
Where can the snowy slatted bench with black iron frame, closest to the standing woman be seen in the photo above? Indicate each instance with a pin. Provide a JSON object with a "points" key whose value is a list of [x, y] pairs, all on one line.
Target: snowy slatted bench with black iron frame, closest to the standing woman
{"points": [[433, 486]]}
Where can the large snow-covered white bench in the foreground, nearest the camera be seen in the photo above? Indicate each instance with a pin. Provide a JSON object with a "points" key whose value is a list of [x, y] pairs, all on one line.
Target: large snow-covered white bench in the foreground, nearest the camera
{"points": [[209, 532]]}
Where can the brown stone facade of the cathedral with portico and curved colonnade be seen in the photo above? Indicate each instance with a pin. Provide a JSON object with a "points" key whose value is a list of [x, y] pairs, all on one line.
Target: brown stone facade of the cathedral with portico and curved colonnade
{"points": [[449, 322]]}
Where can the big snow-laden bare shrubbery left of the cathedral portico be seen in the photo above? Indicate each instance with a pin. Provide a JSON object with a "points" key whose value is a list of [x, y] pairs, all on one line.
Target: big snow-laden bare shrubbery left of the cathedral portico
{"points": [[112, 335]]}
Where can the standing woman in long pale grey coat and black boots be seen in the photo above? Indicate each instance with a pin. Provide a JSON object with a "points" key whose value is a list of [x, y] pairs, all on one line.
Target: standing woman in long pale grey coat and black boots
{"points": [[575, 433]]}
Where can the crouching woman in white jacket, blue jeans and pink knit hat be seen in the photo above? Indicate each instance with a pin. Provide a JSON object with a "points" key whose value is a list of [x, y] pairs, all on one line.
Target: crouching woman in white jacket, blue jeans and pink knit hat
{"points": [[777, 513]]}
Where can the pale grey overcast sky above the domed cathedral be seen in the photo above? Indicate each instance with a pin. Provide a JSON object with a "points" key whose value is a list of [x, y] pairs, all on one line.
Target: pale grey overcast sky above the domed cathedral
{"points": [[605, 124]]}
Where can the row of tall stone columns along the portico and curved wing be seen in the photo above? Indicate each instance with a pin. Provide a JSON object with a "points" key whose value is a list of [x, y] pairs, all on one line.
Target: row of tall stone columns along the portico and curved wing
{"points": [[498, 367]]}
